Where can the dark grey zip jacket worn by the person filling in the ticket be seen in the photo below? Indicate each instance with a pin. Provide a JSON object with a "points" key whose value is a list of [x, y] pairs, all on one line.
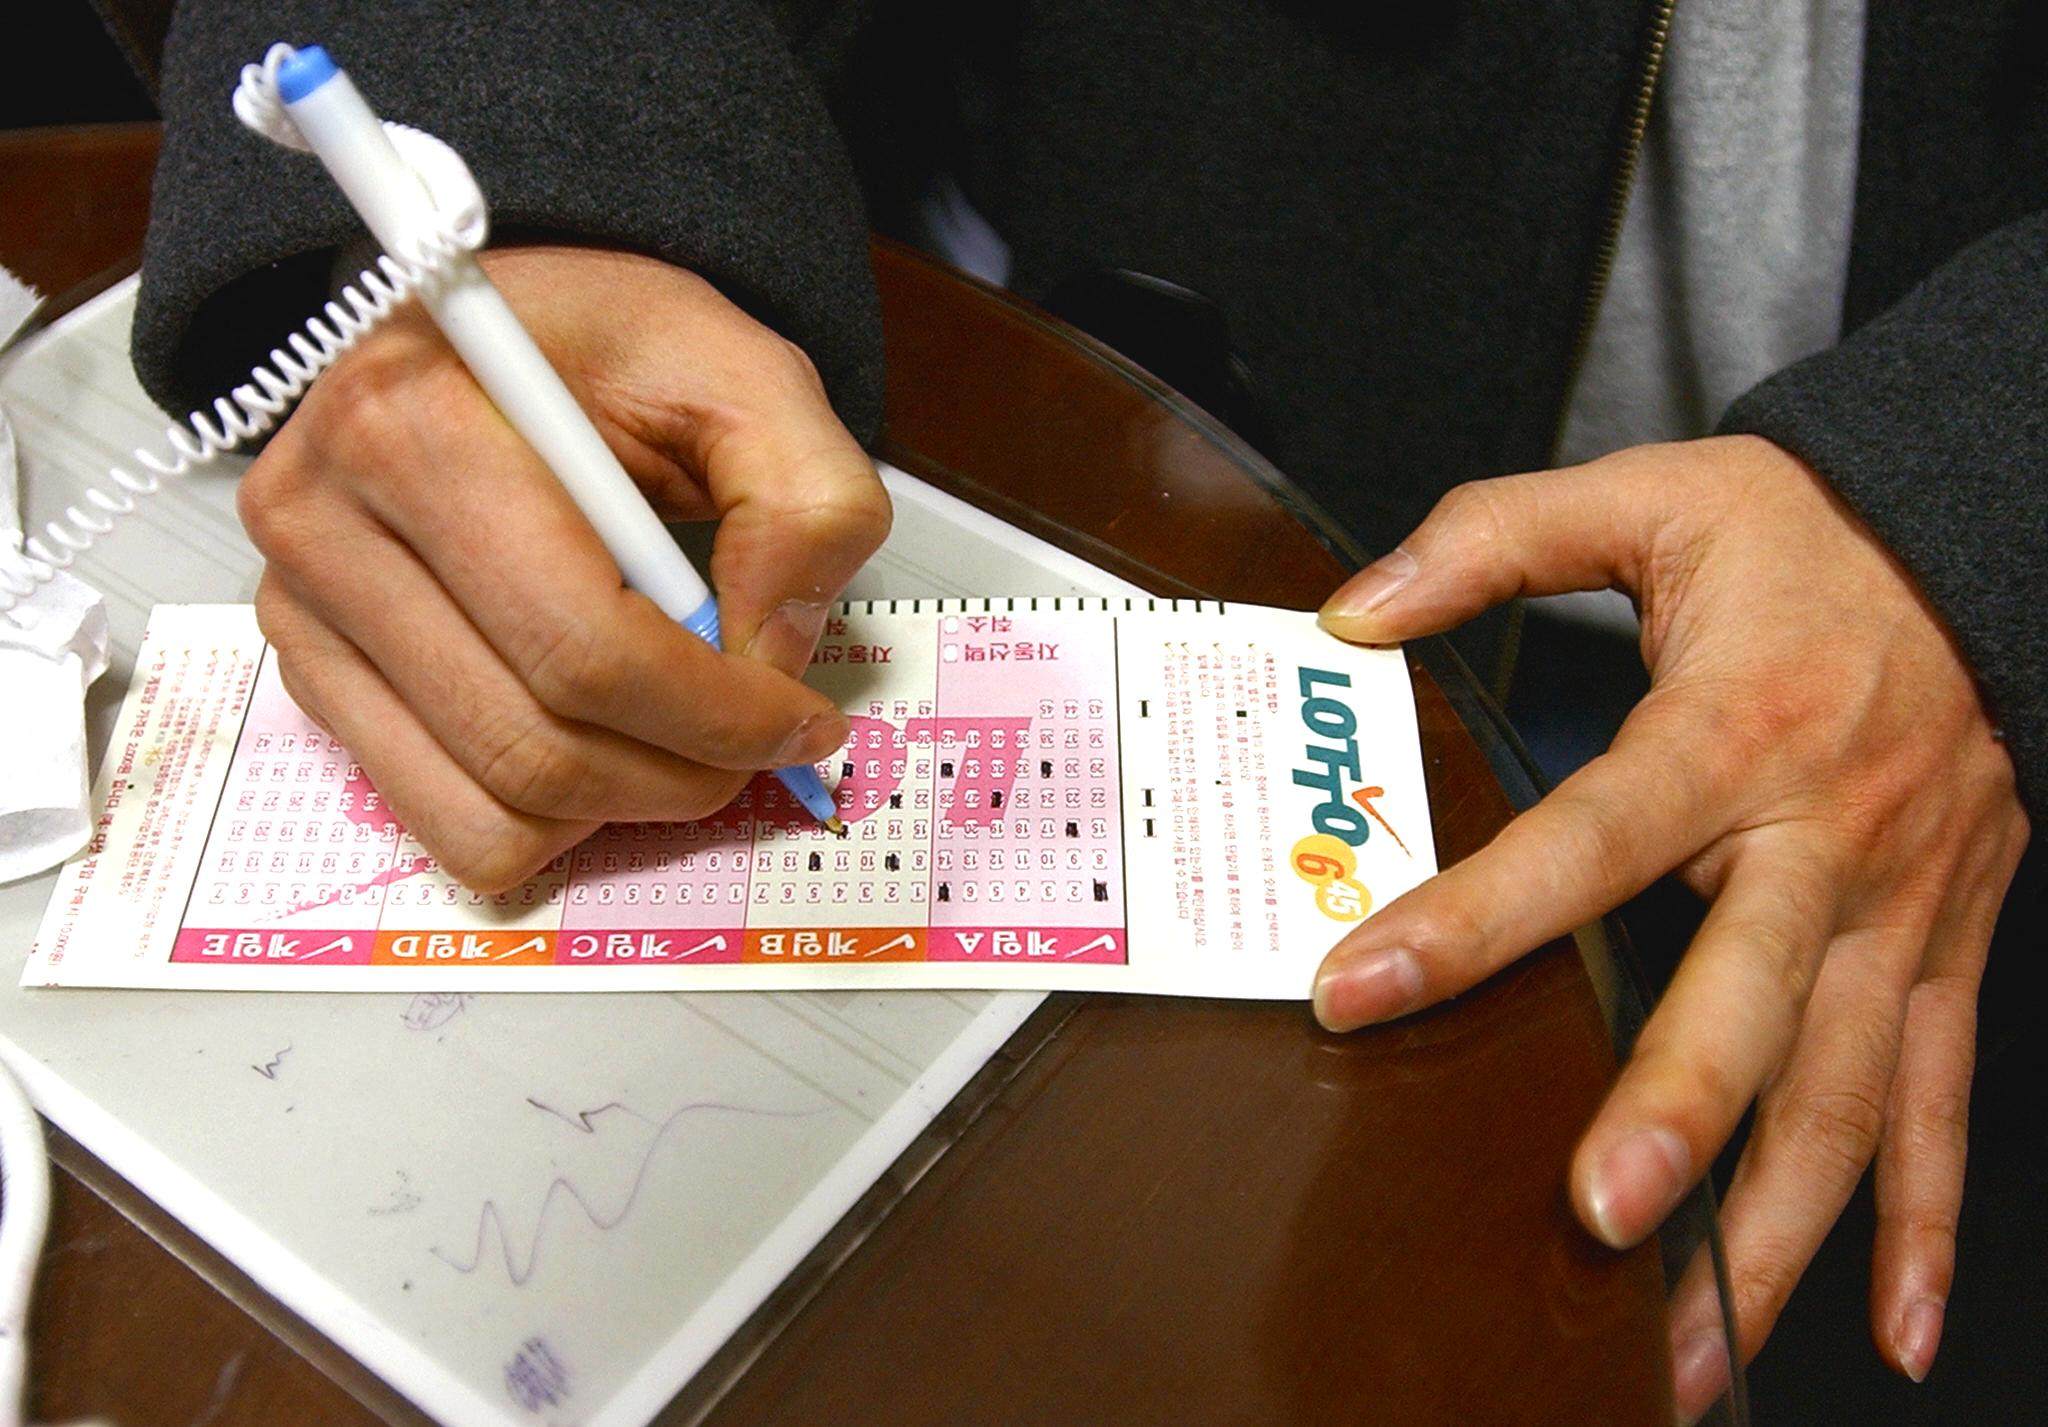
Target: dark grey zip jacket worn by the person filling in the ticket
{"points": [[1398, 216]]}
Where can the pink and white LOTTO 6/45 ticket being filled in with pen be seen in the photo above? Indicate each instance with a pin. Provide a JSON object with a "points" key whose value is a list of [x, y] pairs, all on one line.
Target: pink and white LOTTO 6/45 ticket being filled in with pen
{"points": [[1119, 795]]}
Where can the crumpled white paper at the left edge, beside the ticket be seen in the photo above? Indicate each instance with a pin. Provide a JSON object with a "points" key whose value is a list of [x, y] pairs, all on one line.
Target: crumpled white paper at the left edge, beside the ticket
{"points": [[52, 648]]}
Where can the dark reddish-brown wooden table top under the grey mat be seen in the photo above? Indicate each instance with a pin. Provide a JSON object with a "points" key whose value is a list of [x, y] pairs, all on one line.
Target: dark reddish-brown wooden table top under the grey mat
{"points": [[1144, 1211]]}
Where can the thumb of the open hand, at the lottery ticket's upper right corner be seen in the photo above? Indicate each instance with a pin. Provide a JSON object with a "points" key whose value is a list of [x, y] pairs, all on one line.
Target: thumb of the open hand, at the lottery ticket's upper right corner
{"points": [[1492, 542]]}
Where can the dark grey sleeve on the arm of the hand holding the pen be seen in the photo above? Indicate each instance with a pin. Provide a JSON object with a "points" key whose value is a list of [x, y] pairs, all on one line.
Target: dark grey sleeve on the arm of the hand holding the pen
{"points": [[681, 130]]}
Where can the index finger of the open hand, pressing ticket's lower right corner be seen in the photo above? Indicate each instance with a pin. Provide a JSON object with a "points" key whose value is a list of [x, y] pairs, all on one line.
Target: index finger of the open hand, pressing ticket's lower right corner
{"points": [[1603, 836]]}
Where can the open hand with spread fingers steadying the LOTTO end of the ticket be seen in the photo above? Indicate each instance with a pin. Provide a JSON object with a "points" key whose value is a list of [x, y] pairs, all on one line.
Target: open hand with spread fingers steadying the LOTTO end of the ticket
{"points": [[1816, 761]]}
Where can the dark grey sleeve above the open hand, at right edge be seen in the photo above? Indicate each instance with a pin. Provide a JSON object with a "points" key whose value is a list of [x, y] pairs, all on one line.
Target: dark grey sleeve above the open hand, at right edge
{"points": [[1932, 421]]}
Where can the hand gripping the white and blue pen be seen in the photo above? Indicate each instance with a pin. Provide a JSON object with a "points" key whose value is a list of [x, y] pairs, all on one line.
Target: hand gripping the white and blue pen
{"points": [[441, 605]]}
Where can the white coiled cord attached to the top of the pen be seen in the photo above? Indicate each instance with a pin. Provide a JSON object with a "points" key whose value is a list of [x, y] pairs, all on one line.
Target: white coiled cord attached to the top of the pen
{"points": [[259, 404]]}
